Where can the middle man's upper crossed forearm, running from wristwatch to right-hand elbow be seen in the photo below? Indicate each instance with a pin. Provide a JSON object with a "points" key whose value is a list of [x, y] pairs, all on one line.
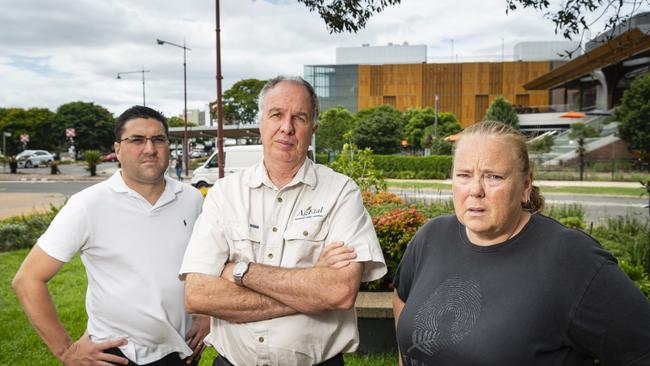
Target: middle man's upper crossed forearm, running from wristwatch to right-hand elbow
{"points": [[308, 290]]}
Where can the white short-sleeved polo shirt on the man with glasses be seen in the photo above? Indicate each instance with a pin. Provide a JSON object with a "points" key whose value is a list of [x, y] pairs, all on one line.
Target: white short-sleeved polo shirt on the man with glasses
{"points": [[132, 251]]}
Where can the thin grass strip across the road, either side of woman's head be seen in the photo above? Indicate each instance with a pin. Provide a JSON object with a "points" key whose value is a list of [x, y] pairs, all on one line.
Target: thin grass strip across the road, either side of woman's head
{"points": [[609, 191]]}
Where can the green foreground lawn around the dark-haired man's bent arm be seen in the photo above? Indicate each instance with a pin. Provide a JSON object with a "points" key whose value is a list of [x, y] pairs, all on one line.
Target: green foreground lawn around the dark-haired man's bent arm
{"points": [[20, 345]]}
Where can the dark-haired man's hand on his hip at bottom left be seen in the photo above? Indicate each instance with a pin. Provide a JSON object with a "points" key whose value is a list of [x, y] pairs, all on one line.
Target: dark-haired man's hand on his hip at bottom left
{"points": [[86, 352]]}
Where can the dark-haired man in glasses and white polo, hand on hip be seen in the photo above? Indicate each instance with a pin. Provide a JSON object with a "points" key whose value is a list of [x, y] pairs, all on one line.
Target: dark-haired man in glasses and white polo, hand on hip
{"points": [[131, 231]]}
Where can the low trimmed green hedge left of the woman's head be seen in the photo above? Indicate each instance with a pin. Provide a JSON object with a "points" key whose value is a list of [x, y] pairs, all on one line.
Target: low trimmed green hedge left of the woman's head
{"points": [[409, 167]]}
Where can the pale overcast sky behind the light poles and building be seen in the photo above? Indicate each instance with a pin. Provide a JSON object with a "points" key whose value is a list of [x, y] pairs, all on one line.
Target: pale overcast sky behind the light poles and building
{"points": [[55, 52]]}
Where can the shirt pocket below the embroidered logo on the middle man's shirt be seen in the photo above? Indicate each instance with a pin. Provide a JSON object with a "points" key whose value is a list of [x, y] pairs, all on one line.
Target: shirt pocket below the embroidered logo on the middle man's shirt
{"points": [[303, 242]]}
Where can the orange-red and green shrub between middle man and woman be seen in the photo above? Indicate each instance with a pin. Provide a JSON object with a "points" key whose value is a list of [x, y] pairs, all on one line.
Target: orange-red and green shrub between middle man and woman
{"points": [[395, 229]]}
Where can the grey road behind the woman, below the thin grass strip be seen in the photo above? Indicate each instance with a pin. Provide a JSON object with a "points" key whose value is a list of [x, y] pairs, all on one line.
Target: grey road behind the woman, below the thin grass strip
{"points": [[596, 207]]}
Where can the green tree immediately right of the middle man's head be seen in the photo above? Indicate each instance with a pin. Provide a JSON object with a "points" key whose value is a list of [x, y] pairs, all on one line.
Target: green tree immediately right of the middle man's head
{"points": [[333, 124]]}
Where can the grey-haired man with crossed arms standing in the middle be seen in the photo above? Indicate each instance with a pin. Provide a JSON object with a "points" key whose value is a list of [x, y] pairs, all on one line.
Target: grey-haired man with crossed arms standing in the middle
{"points": [[278, 253]]}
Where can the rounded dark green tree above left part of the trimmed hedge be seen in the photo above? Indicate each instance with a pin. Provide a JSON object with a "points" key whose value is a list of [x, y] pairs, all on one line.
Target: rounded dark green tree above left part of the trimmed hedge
{"points": [[379, 128]]}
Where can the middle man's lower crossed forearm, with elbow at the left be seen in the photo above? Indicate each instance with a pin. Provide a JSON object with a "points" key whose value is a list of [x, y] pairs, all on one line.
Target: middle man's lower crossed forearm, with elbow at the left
{"points": [[219, 298]]}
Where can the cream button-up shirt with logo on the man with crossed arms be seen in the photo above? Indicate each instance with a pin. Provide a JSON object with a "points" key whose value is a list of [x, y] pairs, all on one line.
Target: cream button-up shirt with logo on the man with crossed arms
{"points": [[245, 217]]}
